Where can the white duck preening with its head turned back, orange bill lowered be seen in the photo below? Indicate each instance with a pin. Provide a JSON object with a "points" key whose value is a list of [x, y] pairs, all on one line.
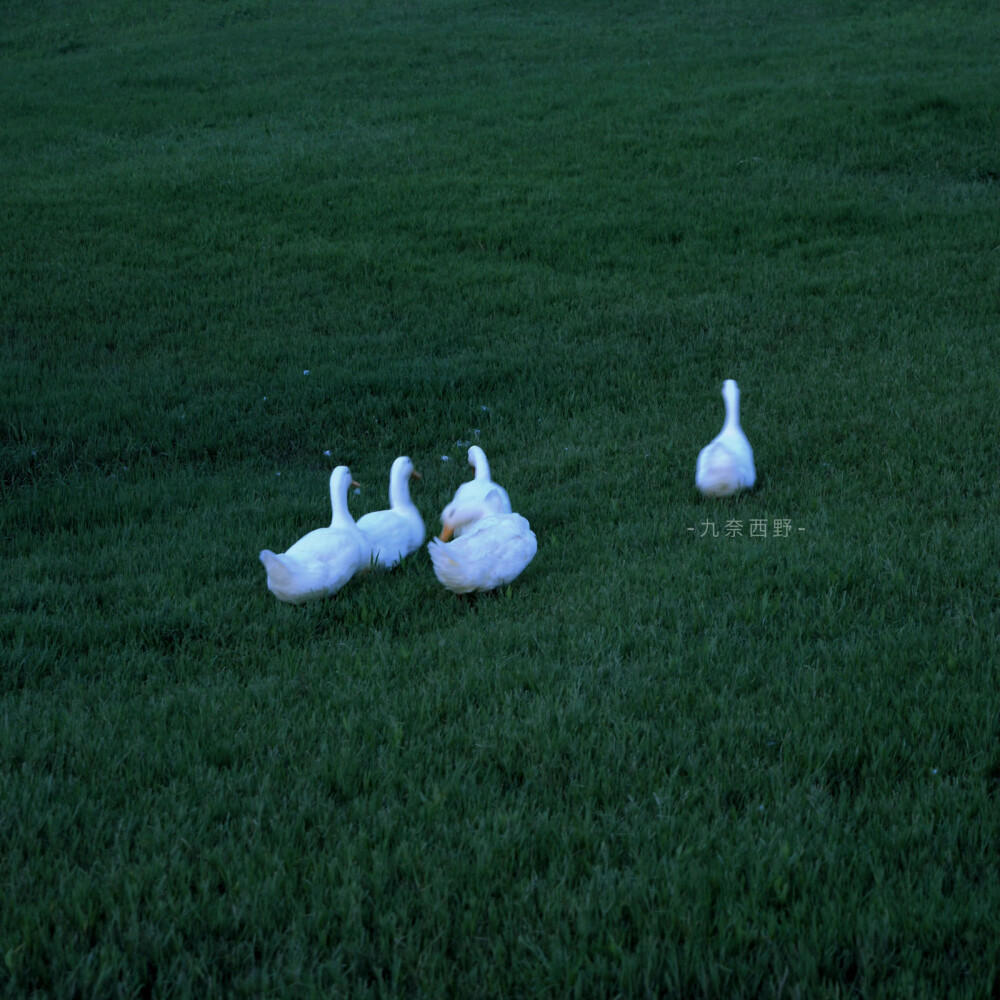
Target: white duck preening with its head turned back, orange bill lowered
{"points": [[494, 547]]}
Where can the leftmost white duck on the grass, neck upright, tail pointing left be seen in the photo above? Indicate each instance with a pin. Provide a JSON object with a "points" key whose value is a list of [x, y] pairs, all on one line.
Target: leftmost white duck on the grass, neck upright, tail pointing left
{"points": [[322, 561]]}
